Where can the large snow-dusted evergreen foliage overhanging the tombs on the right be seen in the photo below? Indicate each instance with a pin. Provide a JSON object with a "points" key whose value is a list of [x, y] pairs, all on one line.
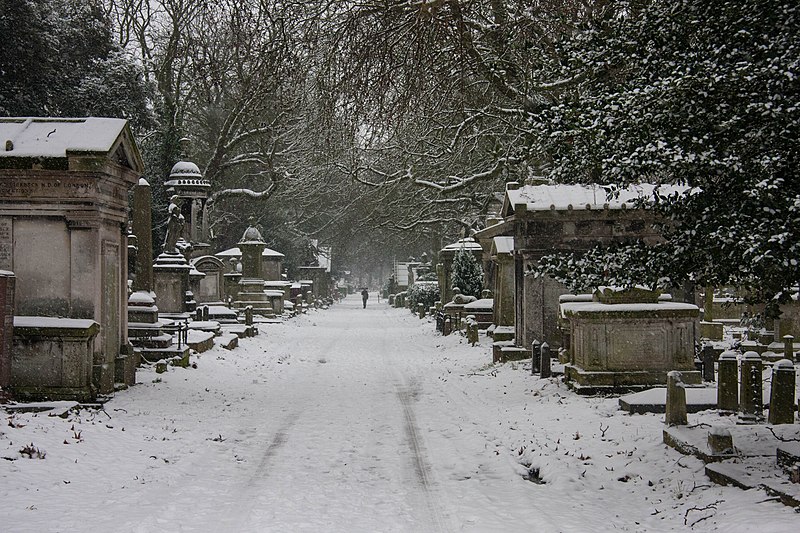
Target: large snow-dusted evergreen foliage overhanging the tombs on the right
{"points": [[700, 93]]}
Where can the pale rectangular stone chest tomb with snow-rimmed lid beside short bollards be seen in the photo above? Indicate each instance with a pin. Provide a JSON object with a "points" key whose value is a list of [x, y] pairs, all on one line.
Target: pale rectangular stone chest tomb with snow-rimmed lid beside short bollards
{"points": [[629, 339]]}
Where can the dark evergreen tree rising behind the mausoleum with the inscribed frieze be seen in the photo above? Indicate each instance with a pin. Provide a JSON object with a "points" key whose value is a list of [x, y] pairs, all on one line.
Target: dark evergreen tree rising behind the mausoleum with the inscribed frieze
{"points": [[59, 58]]}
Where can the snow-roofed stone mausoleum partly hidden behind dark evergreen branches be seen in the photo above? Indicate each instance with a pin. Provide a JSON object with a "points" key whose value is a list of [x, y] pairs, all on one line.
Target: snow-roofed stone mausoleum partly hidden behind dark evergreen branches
{"points": [[544, 219]]}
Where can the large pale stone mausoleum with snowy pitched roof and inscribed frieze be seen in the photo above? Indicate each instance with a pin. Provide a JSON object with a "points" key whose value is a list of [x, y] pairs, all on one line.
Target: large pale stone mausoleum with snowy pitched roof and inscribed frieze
{"points": [[64, 187]]}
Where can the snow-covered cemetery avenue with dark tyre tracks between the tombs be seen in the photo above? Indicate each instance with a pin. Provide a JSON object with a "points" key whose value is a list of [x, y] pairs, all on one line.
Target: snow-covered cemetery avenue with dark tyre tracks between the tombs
{"points": [[351, 419]]}
